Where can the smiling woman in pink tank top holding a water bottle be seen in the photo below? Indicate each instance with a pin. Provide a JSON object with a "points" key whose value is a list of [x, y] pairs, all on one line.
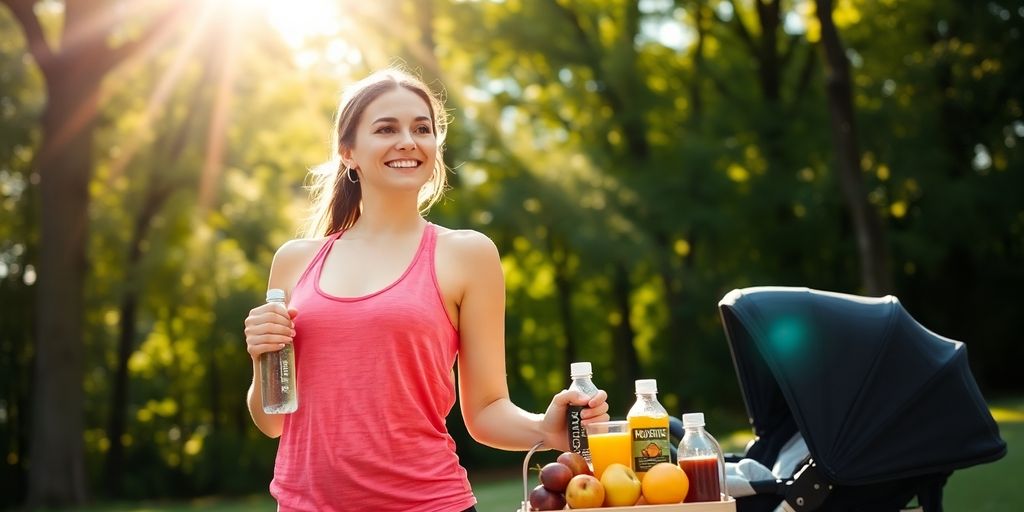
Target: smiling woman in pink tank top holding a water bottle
{"points": [[380, 307]]}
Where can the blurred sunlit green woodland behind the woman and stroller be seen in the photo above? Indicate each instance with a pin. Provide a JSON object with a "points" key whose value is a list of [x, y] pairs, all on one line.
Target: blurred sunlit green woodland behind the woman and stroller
{"points": [[634, 161]]}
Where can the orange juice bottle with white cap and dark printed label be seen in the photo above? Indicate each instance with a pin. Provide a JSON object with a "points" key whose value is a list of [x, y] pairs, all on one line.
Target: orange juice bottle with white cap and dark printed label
{"points": [[649, 429]]}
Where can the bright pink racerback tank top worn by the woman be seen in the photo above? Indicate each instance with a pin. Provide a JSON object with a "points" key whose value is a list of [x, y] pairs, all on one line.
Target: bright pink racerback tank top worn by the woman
{"points": [[375, 387]]}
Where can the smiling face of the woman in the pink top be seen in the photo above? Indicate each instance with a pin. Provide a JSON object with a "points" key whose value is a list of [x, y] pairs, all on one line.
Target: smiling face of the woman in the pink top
{"points": [[396, 145]]}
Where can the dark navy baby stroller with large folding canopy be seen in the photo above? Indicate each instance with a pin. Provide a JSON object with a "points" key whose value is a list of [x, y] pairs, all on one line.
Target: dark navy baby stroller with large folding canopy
{"points": [[886, 409]]}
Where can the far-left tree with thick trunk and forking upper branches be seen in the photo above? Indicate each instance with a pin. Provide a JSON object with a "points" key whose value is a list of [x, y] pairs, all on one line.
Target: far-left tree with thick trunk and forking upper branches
{"points": [[73, 71]]}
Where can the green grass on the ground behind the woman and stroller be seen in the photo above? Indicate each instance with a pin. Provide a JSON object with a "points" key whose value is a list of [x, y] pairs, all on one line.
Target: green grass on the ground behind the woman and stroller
{"points": [[993, 487]]}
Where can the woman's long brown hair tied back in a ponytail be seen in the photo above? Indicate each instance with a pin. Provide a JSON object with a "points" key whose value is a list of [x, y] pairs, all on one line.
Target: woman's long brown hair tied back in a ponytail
{"points": [[336, 199]]}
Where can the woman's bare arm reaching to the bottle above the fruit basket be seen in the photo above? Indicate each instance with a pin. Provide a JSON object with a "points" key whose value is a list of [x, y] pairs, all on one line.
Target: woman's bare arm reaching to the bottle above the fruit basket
{"points": [[491, 417]]}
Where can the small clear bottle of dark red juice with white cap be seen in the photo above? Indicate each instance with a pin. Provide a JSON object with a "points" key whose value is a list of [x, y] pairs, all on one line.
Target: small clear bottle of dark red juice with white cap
{"points": [[702, 459]]}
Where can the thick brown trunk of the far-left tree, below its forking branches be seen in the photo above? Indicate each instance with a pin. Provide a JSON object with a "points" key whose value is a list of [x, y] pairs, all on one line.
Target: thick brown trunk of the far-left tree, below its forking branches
{"points": [[58, 466]]}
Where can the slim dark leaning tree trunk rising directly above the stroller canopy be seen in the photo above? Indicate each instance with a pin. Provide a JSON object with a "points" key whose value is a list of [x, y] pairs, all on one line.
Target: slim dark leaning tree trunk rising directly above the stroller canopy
{"points": [[875, 275]]}
